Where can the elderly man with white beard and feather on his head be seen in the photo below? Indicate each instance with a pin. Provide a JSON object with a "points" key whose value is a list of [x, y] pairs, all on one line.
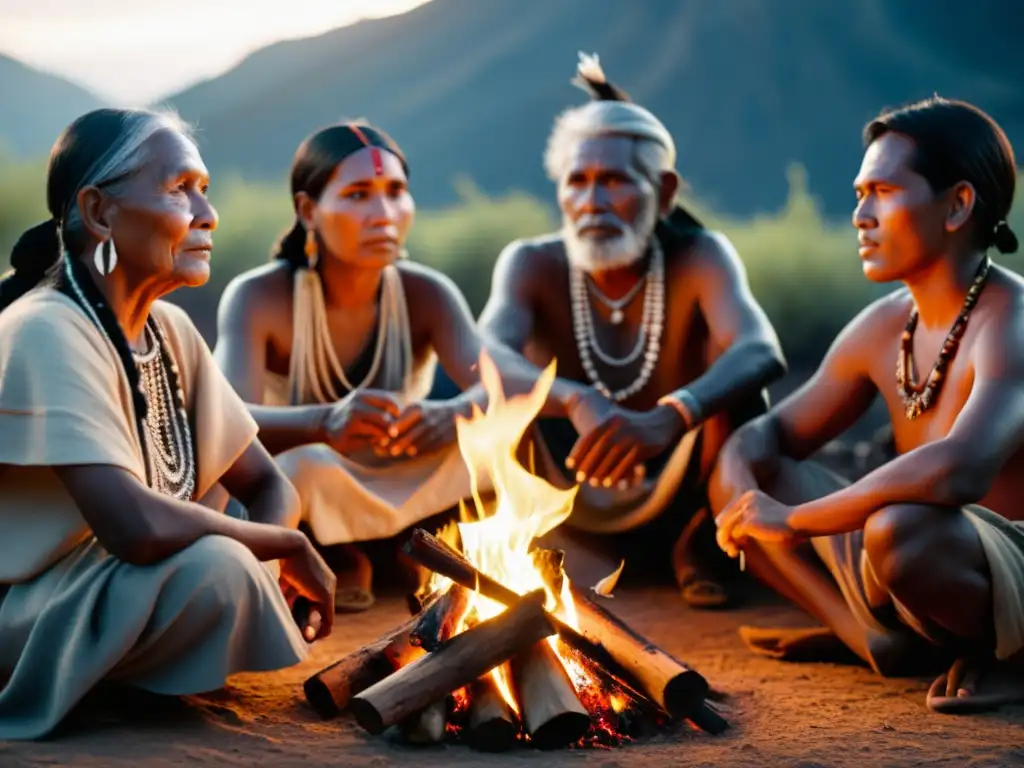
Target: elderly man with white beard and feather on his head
{"points": [[662, 351]]}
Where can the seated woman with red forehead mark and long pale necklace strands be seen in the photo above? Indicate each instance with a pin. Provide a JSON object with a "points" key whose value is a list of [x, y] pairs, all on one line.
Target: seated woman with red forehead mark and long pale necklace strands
{"points": [[334, 346]]}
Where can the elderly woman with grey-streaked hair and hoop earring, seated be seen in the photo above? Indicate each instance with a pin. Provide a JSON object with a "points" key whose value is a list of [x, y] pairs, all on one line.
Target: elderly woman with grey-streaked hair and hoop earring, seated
{"points": [[116, 423]]}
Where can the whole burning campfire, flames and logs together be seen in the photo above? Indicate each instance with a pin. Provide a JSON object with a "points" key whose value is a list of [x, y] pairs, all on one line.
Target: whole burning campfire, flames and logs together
{"points": [[502, 649]]}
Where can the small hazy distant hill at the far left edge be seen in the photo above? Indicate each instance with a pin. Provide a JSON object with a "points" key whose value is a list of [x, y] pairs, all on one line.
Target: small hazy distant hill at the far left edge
{"points": [[35, 107]]}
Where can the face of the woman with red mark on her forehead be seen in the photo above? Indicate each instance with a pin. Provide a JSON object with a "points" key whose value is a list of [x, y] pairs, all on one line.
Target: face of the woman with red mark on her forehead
{"points": [[365, 212]]}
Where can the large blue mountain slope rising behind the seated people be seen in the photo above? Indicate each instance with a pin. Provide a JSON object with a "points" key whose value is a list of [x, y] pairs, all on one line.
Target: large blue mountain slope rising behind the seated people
{"points": [[471, 89]]}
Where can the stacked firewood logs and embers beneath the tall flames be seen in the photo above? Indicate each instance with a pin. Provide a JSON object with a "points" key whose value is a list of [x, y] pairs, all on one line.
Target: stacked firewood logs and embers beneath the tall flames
{"points": [[479, 664]]}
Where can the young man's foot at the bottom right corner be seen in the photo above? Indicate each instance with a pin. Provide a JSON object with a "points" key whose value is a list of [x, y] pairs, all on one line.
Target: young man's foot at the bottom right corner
{"points": [[971, 687]]}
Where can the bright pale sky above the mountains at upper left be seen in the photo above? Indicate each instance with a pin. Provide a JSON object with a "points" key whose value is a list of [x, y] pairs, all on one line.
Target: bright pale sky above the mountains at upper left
{"points": [[136, 52]]}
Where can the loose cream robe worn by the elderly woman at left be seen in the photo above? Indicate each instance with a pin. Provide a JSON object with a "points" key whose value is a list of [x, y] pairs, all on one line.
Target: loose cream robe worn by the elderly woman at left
{"points": [[74, 615]]}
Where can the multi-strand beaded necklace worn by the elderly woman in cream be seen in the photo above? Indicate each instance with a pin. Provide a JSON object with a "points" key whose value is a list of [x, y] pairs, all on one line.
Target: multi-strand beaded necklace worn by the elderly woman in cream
{"points": [[169, 452]]}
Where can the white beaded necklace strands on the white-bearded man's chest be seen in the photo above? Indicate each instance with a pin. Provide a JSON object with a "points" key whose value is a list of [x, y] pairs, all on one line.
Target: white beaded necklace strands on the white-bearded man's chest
{"points": [[649, 337]]}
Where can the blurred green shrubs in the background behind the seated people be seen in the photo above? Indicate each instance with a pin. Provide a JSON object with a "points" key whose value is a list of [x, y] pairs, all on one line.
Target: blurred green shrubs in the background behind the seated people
{"points": [[803, 268]]}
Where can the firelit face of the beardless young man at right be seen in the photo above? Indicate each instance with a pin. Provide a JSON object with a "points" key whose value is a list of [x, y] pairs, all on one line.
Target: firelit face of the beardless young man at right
{"points": [[902, 222]]}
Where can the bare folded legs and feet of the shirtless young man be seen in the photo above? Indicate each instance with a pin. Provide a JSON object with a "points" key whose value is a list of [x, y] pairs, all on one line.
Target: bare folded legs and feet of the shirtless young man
{"points": [[925, 566]]}
